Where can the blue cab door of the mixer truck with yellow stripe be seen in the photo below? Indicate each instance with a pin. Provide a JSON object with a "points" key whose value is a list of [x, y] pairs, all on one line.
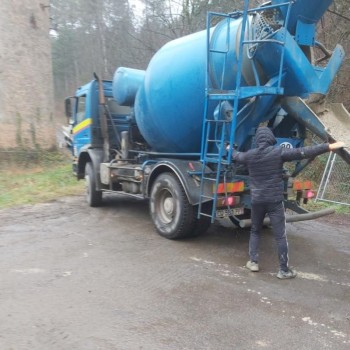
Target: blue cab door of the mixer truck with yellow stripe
{"points": [[82, 125]]}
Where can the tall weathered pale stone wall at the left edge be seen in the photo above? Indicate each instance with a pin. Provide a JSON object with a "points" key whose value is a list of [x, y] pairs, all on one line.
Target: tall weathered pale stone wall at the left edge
{"points": [[26, 83]]}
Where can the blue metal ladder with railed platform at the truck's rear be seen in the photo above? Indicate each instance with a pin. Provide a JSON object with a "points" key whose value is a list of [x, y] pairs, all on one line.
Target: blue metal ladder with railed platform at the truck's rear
{"points": [[219, 132]]}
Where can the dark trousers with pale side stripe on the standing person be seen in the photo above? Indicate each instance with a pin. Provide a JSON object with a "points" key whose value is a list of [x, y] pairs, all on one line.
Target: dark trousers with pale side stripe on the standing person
{"points": [[276, 213]]}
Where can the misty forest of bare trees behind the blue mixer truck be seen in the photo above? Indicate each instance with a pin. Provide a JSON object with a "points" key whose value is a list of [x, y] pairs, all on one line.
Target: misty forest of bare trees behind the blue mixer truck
{"points": [[100, 35]]}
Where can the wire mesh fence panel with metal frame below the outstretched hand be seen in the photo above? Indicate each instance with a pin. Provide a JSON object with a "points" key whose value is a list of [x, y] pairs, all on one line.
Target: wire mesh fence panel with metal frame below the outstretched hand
{"points": [[335, 183]]}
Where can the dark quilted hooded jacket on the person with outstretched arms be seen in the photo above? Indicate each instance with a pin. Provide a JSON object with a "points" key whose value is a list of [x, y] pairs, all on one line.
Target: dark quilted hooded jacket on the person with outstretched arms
{"points": [[265, 165]]}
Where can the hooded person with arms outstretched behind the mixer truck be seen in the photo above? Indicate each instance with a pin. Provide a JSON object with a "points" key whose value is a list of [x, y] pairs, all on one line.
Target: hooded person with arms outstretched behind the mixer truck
{"points": [[265, 166]]}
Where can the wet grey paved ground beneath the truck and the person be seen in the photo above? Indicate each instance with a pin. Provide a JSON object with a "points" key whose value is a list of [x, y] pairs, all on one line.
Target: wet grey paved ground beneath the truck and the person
{"points": [[74, 277]]}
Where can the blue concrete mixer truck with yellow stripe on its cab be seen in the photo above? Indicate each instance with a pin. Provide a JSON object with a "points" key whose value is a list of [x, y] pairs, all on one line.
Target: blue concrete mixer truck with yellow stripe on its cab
{"points": [[162, 134]]}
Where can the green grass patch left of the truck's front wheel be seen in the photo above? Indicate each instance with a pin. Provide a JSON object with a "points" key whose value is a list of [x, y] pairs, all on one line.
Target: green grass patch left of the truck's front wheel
{"points": [[39, 184]]}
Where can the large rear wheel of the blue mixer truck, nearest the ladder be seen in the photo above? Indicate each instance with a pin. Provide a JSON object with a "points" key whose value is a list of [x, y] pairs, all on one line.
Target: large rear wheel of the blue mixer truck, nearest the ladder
{"points": [[172, 214]]}
